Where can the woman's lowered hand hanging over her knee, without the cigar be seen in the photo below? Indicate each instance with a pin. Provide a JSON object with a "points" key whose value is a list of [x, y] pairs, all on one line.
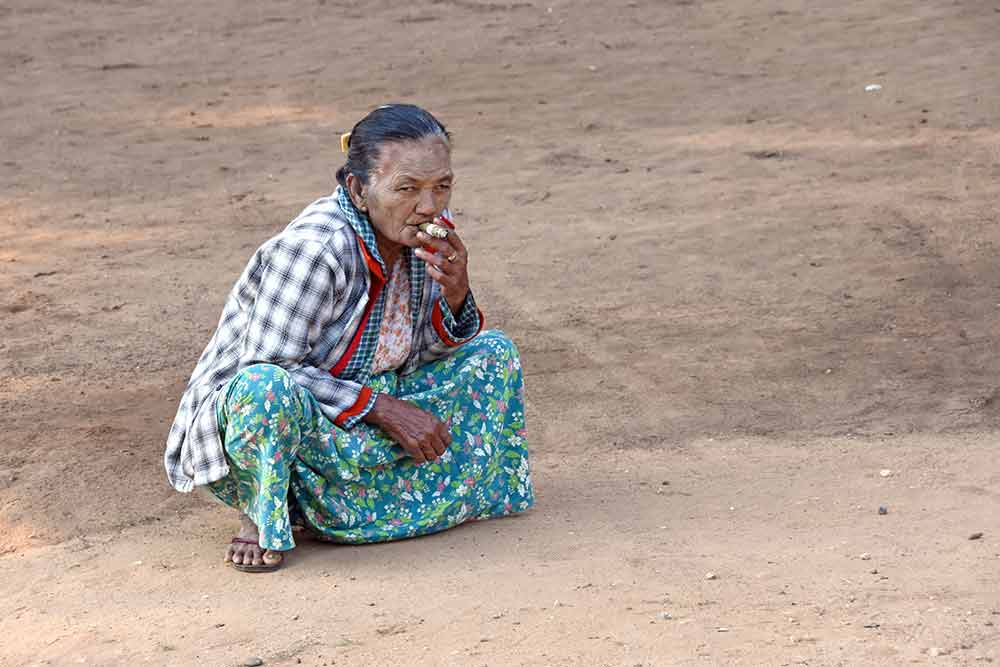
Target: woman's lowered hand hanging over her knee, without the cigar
{"points": [[422, 435]]}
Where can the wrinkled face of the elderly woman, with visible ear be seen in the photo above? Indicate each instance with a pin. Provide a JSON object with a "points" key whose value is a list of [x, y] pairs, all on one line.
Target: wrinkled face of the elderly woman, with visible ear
{"points": [[410, 184]]}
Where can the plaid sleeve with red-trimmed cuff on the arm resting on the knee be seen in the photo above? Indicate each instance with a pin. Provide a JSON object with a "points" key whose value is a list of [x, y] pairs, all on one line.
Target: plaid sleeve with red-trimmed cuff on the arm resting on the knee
{"points": [[301, 286]]}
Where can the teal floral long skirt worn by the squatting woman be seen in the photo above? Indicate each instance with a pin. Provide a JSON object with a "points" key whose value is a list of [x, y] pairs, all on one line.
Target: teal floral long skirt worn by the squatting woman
{"points": [[290, 465]]}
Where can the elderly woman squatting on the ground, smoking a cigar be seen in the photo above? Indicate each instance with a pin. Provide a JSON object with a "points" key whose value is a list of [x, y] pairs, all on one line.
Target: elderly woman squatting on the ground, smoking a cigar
{"points": [[347, 387]]}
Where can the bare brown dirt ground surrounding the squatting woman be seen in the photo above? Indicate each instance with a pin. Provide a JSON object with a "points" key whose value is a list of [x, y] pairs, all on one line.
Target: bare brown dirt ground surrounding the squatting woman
{"points": [[742, 285]]}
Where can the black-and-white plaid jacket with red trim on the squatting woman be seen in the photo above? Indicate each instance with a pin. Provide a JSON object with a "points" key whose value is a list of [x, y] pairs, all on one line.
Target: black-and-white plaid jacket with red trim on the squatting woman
{"points": [[300, 303]]}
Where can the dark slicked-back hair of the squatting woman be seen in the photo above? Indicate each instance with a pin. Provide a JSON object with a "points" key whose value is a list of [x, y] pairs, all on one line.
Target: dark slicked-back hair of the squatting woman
{"points": [[390, 122]]}
